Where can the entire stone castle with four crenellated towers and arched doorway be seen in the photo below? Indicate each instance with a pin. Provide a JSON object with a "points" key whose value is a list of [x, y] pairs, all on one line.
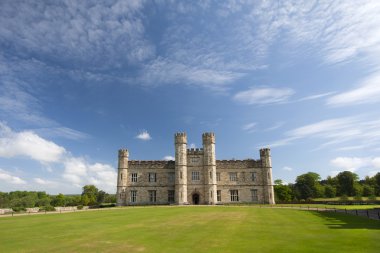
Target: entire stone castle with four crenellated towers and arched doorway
{"points": [[195, 177]]}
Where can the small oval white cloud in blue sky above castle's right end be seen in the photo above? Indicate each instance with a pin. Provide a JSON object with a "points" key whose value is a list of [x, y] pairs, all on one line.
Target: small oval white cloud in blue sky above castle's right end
{"points": [[263, 95]]}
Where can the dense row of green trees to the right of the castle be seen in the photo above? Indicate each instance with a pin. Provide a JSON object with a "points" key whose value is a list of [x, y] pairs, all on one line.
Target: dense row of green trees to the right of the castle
{"points": [[346, 184]]}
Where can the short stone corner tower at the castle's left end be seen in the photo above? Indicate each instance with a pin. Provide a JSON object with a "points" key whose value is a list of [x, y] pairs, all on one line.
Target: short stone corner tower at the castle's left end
{"points": [[122, 177]]}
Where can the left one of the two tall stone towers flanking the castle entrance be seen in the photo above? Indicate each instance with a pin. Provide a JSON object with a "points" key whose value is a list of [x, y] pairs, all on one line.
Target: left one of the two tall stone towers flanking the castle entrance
{"points": [[180, 168]]}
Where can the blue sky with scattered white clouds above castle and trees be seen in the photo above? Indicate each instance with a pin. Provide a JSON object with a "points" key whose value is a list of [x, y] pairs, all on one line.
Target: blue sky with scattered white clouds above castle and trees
{"points": [[81, 79]]}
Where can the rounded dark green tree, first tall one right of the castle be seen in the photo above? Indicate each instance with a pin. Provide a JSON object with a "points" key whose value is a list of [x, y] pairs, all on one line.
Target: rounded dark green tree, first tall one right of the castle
{"points": [[307, 186]]}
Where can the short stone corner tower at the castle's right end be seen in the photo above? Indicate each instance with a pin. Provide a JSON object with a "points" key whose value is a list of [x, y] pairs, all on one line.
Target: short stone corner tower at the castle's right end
{"points": [[266, 162]]}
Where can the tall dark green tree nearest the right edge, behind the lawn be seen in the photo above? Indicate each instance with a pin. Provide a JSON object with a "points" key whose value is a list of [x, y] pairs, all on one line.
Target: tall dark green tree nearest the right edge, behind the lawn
{"points": [[346, 183]]}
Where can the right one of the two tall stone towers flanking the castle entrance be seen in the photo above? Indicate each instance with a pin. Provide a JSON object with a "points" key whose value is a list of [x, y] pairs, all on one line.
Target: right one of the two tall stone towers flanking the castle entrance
{"points": [[209, 163]]}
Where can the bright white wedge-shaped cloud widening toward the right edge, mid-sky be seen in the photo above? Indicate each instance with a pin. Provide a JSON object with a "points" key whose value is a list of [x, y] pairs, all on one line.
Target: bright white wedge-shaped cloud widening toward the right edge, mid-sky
{"points": [[367, 92]]}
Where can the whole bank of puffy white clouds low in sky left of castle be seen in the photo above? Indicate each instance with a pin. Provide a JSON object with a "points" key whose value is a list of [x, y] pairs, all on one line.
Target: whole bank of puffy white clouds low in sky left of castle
{"points": [[77, 171]]}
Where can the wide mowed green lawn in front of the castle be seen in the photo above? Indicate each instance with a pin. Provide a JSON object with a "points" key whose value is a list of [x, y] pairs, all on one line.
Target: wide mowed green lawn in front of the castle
{"points": [[190, 229]]}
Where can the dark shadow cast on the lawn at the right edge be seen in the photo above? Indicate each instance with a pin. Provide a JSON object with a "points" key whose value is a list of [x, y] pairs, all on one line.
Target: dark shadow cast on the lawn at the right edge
{"points": [[346, 221]]}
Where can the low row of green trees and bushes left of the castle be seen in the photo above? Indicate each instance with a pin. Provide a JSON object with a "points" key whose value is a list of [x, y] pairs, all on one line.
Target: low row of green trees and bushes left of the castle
{"points": [[19, 200]]}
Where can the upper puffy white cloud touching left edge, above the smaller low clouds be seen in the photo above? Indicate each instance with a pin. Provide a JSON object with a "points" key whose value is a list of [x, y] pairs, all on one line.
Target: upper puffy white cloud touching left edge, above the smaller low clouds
{"points": [[27, 143]]}
